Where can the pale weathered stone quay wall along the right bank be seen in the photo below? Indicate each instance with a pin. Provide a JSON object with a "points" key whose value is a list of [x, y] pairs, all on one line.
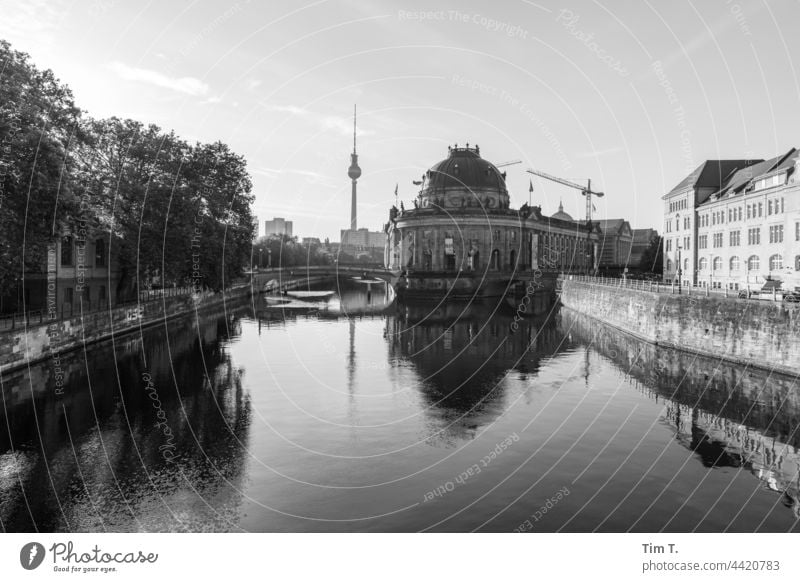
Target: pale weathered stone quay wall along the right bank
{"points": [[764, 334]]}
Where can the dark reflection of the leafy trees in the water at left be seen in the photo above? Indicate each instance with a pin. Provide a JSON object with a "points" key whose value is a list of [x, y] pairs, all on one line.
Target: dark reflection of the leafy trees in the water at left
{"points": [[93, 459]]}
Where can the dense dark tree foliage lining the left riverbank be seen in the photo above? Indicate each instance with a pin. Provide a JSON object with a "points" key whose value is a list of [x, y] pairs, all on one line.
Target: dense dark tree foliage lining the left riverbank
{"points": [[171, 211]]}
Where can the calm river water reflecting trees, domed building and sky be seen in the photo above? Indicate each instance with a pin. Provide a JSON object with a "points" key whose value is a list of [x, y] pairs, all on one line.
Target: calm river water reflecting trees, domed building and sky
{"points": [[356, 415]]}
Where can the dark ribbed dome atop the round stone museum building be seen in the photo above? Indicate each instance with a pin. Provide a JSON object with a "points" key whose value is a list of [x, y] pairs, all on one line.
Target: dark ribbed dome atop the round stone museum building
{"points": [[464, 179]]}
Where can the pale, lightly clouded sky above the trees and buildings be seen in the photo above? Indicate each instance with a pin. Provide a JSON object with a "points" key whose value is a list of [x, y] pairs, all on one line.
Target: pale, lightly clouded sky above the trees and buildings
{"points": [[633, 95]]}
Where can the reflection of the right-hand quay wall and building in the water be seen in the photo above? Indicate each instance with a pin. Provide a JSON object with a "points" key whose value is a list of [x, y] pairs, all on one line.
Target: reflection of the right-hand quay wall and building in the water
{"points": [[727, 415]]}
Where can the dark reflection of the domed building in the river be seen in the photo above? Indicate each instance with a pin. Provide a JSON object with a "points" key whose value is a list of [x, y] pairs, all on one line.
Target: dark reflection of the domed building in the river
{"points": [[462, 356]]}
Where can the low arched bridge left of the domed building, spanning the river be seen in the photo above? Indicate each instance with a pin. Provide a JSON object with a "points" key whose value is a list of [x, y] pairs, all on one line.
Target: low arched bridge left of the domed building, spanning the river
{"points": [[287, 278]]}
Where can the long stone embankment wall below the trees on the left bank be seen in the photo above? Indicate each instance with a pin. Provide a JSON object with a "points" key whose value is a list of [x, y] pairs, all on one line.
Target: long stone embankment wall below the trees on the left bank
{"points": [[48, 340]]}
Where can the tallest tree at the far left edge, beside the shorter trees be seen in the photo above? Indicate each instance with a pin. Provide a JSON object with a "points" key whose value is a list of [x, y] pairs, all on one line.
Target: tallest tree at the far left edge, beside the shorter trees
{"points": [[39, 130]]}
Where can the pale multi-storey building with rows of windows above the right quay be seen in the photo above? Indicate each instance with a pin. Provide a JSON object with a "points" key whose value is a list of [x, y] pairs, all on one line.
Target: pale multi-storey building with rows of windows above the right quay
{"points": [[734, 222]]}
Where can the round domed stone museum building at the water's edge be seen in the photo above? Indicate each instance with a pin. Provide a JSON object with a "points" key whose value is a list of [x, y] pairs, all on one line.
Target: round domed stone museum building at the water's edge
{"points": [[462, 238]]}
